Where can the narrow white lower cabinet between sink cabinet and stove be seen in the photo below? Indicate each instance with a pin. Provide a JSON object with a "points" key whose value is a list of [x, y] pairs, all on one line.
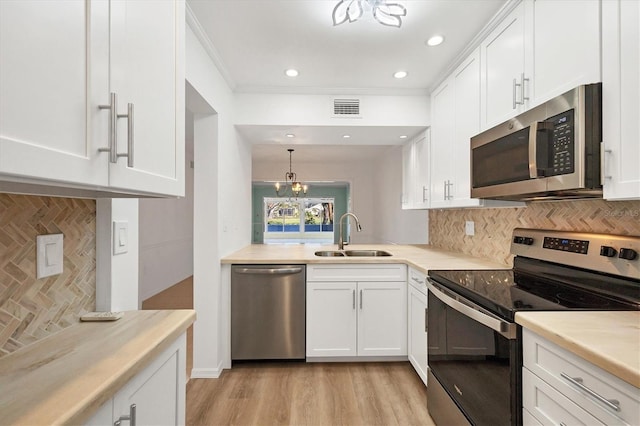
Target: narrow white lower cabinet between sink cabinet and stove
{"points": [[417, 322]]}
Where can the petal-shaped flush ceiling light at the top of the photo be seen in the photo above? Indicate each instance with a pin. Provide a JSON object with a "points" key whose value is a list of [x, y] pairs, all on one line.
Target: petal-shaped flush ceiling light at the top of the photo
{"points": [[384, 12]]}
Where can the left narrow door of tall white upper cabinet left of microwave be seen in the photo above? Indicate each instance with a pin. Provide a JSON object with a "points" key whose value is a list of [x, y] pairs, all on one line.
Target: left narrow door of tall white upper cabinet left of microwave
{"points": [[442, 133]]}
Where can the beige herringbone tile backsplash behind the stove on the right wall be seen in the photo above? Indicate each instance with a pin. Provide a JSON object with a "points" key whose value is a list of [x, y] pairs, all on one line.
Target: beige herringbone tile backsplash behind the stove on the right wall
{"points": [[493, 227]]}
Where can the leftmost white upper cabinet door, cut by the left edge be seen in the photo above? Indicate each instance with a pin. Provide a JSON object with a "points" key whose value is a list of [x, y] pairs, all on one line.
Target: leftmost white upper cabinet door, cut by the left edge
{"points": [[47, 128]]}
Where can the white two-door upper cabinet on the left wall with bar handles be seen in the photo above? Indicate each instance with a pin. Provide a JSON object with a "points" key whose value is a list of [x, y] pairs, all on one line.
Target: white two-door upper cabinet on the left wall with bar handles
{"points": [[60, 62]]}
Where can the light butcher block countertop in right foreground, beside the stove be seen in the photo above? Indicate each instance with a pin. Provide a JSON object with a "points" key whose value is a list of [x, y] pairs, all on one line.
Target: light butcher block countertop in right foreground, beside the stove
{"points": [[610, 340]]}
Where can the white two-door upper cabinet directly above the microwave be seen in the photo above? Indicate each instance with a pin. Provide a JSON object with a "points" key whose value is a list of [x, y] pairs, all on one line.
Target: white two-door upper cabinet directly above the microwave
{"points": [[542, 49]]}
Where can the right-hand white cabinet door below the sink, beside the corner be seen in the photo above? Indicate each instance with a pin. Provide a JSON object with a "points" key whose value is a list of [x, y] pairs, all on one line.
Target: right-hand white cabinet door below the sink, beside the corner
{"points": [[382, 318]]}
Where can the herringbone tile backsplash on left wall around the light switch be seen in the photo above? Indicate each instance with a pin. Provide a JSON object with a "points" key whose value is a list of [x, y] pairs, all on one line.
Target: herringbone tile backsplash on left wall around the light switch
{"points": [[31, 309]]}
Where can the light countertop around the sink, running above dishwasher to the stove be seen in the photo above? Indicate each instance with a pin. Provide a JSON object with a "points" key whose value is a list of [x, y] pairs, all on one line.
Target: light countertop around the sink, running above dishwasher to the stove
{"points": [[423, 258]]}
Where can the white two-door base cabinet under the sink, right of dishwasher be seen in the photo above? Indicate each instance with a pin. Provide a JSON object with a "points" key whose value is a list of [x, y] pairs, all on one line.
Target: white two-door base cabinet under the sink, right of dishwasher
{"points": [[356, 310]]}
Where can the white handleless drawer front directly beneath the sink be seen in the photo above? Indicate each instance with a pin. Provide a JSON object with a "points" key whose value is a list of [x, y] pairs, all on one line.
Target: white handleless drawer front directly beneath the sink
{"points": [[355, 272]]}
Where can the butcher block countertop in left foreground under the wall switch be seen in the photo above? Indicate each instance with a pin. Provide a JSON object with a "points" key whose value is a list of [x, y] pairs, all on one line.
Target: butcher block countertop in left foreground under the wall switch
{"points": [[66, 377]]}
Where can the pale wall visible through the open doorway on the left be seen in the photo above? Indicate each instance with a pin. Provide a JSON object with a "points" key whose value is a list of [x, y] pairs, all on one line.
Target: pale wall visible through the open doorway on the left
{"points": [[166, 235]]}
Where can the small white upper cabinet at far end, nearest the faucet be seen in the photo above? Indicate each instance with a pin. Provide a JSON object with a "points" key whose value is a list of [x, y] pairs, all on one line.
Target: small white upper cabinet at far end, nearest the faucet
{"points": [[415, 173]]}
